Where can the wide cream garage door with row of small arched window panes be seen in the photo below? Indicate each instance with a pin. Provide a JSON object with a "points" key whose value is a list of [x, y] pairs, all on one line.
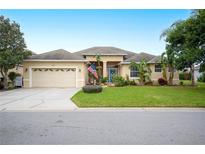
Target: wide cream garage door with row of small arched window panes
{"points": [[53, 77]]}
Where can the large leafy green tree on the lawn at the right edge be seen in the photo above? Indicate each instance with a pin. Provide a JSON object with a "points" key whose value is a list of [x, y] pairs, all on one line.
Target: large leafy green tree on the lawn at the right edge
{"points": [[186, 39]]}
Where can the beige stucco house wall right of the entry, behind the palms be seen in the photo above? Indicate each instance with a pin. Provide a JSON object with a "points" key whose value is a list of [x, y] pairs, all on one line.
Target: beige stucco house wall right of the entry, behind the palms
{"points": [[124, 70]]}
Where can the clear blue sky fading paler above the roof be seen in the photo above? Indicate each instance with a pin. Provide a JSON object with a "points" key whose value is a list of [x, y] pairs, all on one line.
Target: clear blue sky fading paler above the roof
{"points": [[74, 30]]}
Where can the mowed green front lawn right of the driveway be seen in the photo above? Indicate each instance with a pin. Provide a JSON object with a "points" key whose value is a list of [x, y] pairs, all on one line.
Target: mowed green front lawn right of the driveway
{"points": [[144, 96]]}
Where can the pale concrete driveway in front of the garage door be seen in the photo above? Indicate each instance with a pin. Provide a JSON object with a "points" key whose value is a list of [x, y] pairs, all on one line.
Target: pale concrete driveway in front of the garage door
{"points": [[36, 99]]}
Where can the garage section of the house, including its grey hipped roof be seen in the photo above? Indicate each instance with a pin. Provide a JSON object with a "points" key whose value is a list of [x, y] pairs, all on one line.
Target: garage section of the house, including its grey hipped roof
{"points": [[54, 69]]}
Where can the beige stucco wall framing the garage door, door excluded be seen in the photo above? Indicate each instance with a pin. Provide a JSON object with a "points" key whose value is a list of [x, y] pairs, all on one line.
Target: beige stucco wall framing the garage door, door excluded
{"points": [[81, 69]]}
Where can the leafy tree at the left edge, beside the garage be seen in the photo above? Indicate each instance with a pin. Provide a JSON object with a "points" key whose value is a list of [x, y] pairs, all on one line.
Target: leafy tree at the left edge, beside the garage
{"points": [[12, 47]]}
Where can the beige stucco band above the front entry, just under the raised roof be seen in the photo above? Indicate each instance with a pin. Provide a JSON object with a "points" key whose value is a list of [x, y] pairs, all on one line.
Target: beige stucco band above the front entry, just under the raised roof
{"points": [[106, 58]]}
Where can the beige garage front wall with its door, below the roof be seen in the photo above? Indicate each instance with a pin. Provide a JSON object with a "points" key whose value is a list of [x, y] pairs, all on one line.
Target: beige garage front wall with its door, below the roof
{"points": [[54, 74]]}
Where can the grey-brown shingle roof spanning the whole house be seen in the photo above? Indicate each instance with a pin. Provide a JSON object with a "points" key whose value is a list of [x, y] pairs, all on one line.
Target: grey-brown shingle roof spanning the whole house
{"points": [[62, 54]]}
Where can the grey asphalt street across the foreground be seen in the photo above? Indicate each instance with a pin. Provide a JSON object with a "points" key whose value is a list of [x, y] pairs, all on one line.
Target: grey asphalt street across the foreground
{"points": [[103, 127]]}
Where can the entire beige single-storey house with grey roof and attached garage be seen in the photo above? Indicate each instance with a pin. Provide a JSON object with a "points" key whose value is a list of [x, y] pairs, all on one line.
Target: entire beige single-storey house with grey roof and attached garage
{"points": [[61, 68]]}
